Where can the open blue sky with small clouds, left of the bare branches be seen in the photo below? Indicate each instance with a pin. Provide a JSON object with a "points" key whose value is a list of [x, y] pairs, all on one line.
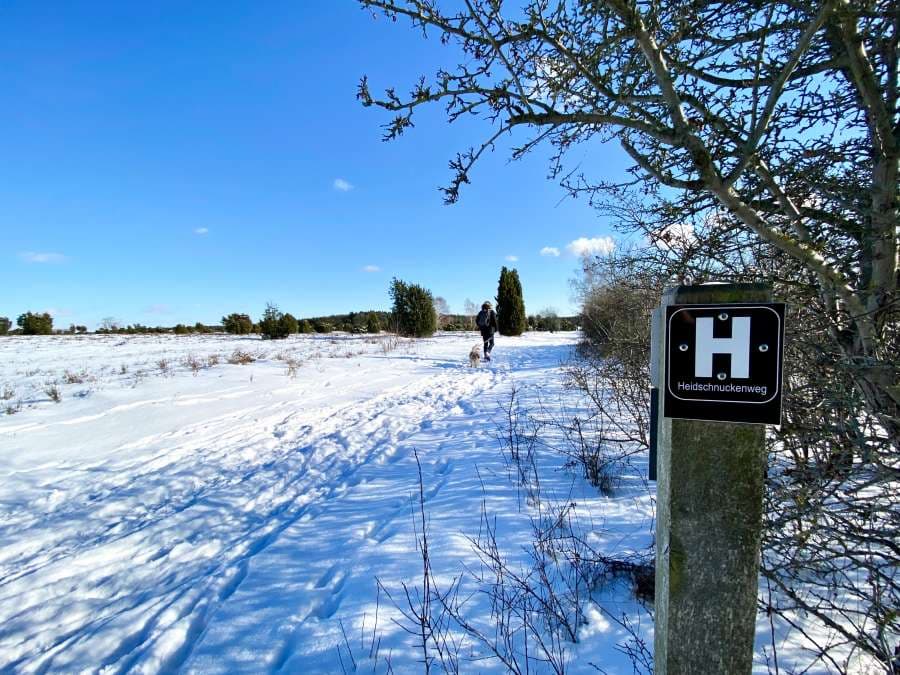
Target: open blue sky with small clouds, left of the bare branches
{"points": [[172, 162]]}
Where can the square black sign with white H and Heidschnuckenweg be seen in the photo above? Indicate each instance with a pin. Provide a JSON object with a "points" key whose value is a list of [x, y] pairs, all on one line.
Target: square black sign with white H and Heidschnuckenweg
{"points": [[724, 362]]}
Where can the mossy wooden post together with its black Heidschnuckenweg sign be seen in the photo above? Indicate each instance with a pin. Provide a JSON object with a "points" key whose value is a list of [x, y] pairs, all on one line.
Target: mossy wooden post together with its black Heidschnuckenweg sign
{"points": [[716, 368]]}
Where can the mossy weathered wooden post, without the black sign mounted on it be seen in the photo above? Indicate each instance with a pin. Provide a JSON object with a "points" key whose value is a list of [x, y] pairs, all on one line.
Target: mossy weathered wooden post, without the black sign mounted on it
{"points": [[710, 481]]}
